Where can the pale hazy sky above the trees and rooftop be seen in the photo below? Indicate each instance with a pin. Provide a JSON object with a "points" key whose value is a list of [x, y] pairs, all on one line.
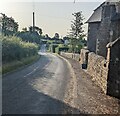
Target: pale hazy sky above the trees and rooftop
{"points": [[52, 16]]}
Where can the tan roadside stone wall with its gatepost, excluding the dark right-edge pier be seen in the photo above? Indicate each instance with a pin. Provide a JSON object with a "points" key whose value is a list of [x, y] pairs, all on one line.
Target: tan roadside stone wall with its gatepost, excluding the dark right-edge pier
{"points": [[97, 66]]}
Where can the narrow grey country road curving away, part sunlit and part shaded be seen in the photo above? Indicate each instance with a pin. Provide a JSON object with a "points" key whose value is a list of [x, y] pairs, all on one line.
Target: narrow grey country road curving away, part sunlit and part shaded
{"points": [[38, 88]]}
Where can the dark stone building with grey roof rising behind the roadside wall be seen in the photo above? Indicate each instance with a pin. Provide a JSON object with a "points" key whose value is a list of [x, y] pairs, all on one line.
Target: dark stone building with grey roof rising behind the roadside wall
{"points": [[103, 27]]}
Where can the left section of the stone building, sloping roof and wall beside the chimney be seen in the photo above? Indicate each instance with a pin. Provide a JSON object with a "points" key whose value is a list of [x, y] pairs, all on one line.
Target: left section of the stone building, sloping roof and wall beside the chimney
{"points": [[93, 28]]}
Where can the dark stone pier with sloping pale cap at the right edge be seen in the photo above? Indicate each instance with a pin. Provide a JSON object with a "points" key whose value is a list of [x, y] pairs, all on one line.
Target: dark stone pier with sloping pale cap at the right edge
{"points": [[113, 59]]}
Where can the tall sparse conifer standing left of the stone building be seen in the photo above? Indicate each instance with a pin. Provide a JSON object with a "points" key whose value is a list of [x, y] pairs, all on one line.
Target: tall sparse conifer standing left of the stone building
{"points": [[76, 31]]}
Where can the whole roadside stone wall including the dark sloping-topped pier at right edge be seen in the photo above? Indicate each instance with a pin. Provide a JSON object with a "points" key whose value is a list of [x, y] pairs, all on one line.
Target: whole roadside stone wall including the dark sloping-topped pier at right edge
{"points": [[104, 72]]}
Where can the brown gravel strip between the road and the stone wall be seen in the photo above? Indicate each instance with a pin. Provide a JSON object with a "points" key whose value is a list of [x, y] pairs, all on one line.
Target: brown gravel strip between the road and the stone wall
{"points": [[83, 94]]}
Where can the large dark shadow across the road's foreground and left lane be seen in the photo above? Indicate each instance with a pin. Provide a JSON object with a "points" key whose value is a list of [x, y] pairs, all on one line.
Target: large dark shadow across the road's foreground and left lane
{"points": [[23, 98]]}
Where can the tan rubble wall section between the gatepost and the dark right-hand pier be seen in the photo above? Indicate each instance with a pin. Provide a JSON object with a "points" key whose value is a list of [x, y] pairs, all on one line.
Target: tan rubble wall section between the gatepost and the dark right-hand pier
{"points": [[98, 69]]}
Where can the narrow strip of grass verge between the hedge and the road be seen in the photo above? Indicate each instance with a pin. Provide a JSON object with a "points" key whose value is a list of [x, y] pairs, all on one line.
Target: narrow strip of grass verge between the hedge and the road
{"points": [[12, 66]]}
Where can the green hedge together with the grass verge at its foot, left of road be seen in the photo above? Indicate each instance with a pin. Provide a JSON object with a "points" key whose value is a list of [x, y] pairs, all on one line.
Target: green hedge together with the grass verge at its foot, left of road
{"points": [[16, 53]]}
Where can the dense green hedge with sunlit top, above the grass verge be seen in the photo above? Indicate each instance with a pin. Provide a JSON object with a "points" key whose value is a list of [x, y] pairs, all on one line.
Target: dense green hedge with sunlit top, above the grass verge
{"points": [[14, 48]]}
